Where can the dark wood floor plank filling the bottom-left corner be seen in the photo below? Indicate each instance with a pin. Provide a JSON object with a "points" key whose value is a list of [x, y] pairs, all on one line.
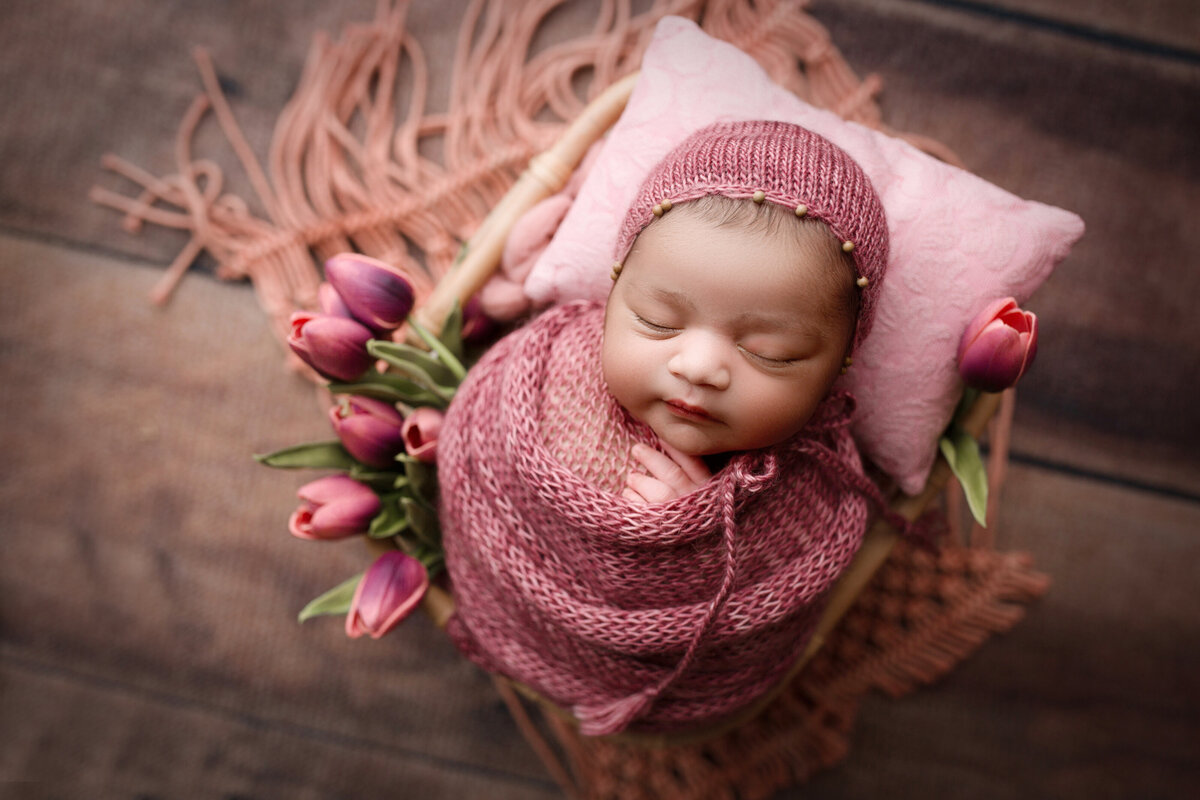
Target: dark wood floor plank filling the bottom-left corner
{"points": [[71, 736]]}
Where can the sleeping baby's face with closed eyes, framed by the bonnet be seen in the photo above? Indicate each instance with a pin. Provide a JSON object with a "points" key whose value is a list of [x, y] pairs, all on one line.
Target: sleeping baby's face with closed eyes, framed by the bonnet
{"points": [[721, 339]]}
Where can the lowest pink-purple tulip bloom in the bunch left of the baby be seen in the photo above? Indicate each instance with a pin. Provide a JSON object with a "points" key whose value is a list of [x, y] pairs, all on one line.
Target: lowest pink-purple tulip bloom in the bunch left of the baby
{"points": [[388, 593]]}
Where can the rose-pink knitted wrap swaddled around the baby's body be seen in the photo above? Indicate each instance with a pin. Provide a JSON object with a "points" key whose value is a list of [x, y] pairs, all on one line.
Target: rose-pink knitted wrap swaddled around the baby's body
{"points": [[643, 617]]}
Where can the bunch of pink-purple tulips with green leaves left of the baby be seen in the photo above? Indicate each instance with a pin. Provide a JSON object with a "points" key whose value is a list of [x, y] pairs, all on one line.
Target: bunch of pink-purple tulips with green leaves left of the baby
{"points": [[389, 401]]}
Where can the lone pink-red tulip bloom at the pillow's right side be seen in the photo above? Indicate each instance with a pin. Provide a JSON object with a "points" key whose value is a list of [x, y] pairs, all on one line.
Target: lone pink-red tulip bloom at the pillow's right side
{"points": [[999, 346]]}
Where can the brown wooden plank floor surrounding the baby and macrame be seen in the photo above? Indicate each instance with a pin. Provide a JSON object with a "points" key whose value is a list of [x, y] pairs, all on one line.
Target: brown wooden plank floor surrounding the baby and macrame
{"points": [[148, 586]]}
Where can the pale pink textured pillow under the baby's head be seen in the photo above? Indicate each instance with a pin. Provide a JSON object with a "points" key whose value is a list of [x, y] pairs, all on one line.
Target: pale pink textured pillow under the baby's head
{"points": [[958, 243]]}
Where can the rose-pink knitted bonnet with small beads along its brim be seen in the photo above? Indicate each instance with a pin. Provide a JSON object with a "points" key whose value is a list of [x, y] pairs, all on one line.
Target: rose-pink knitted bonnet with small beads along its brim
{"points": [[781, 164]]}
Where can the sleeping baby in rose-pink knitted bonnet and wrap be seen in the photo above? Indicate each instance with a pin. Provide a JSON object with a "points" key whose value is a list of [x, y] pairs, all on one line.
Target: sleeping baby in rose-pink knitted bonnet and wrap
{"points": [[645, 504]]}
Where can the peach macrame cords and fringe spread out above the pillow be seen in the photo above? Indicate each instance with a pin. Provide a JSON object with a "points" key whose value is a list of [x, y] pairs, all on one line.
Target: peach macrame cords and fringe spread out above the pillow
{"points": [[346, 169]]}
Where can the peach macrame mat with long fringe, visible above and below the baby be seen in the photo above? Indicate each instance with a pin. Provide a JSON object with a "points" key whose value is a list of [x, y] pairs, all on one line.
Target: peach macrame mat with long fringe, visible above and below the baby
{"points": [[351, 169]]}
